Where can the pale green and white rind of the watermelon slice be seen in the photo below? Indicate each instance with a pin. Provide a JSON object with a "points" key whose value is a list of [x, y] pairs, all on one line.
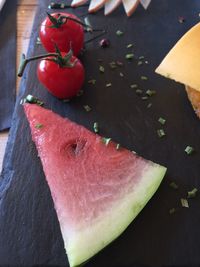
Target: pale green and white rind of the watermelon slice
{"points": [[84, 244]]}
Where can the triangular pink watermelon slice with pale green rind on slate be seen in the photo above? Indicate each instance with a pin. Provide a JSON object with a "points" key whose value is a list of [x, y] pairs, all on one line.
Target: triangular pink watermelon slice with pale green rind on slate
{"points": [[97, 189]]}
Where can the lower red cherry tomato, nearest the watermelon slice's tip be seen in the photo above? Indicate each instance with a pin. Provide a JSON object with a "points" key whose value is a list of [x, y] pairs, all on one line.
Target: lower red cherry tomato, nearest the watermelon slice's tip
{"points": [[62, 82]]}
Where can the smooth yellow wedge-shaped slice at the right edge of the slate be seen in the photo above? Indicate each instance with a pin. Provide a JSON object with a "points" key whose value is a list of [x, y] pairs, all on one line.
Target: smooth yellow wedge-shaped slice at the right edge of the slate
{"points": [[182, 63]]}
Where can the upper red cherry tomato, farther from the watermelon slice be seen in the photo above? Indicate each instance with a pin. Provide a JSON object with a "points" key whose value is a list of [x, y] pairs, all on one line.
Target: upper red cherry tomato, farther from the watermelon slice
{"points": [[70, 33]]}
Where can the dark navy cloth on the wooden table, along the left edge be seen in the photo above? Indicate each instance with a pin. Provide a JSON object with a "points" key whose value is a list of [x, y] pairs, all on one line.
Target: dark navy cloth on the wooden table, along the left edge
{"points": [[7, 62]]}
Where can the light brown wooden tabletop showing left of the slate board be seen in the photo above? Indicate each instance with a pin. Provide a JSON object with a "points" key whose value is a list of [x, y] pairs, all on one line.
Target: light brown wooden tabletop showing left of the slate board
{"points": [[25, 14]]}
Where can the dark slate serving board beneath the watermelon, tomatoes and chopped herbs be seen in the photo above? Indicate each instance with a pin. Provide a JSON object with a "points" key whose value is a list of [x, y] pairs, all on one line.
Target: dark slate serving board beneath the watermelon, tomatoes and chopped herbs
{"points": [[29, 228]]}
